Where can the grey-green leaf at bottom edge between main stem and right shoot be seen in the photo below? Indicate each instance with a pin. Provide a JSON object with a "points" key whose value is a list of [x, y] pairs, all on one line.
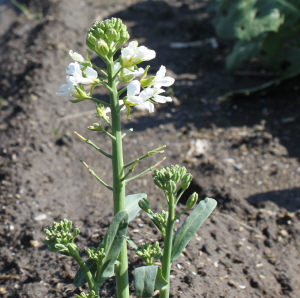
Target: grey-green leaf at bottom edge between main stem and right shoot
{"points": [[144, 280]]}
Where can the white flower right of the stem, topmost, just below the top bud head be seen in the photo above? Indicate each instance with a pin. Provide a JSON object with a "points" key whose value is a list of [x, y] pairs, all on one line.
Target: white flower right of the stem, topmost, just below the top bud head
{"points": [[133, 54]]}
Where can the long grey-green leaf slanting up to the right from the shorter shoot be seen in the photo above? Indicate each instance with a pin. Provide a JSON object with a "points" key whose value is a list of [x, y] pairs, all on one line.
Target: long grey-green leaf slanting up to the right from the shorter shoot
{"points": [[191, 225]]}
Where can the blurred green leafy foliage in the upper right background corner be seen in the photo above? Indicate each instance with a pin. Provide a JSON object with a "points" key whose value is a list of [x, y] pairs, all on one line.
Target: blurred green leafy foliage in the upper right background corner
{"points": [[267, 30]]}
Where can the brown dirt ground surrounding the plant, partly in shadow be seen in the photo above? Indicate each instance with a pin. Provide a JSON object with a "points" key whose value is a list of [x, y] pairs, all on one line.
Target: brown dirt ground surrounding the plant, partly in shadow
{"points": [[244, 152]]}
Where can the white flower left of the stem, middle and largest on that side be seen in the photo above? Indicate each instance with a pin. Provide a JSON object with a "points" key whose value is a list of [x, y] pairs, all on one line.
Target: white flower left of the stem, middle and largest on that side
{"points": [[75, 70]]}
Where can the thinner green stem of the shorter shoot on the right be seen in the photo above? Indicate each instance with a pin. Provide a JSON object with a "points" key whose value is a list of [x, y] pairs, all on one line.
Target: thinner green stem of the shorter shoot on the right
{"points": [[166, 262]]}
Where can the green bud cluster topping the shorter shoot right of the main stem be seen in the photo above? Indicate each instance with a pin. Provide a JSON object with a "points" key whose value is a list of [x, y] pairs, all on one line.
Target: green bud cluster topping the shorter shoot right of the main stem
{"points": [[168, 178]]}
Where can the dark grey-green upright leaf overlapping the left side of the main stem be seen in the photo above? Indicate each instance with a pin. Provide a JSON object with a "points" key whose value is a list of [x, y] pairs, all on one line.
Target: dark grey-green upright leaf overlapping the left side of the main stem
{"points": [[112, 244]]}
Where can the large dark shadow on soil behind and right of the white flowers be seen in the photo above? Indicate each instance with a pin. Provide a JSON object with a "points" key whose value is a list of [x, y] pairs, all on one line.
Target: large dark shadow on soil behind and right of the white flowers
{"points": [[205, 79]]}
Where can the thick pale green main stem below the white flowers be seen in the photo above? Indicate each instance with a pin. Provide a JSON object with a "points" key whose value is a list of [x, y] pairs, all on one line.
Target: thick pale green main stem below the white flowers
{"points": [[118, 184]]}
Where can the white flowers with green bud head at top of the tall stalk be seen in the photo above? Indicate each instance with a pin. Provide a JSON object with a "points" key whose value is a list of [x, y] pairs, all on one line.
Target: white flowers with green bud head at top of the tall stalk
{"points": [[142, 91]]}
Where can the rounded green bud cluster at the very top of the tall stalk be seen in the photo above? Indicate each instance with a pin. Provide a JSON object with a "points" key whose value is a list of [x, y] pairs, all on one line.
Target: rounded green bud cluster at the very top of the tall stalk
{"points": [[107, 36]]}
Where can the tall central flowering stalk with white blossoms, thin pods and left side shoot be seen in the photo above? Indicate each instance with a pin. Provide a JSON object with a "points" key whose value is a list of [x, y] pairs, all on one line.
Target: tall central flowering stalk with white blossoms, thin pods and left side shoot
{"points": [[138, 90]]}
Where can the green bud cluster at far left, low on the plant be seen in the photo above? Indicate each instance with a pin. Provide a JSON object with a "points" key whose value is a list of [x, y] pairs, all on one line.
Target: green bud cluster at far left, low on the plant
{"points": [[60, 237]]}
